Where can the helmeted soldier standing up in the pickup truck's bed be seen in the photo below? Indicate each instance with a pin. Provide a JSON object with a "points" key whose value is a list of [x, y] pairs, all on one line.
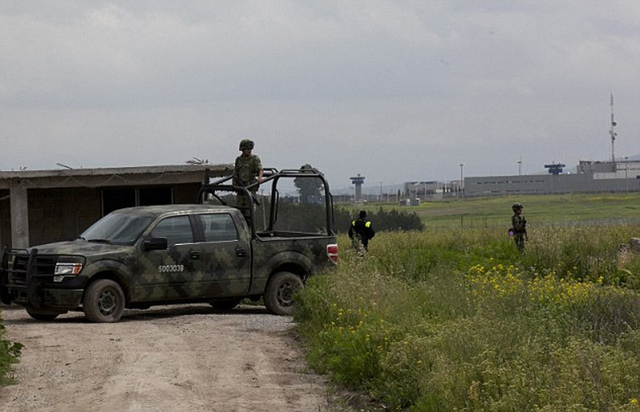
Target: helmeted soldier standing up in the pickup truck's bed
{"points": [[247, 171]]}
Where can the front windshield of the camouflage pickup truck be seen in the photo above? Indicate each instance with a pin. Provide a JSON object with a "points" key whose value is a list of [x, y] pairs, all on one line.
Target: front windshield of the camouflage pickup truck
{"points": [[117, 228]]}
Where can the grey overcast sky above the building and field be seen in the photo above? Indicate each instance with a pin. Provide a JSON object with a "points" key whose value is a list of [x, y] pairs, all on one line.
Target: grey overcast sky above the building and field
{"points": [[394, 90]]}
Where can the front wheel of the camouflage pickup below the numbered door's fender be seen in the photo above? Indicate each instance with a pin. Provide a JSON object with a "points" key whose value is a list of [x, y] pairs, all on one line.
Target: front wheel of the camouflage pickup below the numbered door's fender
{"points": [[103, 301]]}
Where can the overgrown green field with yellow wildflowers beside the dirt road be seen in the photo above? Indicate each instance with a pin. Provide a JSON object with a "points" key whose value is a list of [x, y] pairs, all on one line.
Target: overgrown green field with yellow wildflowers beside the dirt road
{"points": [[459, 320]]}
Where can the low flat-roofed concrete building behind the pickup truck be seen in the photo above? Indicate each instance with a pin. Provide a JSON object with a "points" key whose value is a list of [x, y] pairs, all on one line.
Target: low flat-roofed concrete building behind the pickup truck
{"points": [[44, 206]]}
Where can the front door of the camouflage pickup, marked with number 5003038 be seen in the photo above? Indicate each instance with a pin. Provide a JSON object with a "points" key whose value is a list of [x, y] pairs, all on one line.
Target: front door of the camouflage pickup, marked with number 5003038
{"points": [[172, 273]]}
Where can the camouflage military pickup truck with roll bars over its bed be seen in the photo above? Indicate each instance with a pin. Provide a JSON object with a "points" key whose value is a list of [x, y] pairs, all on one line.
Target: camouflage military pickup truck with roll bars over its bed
{"points": [[156, 255]]}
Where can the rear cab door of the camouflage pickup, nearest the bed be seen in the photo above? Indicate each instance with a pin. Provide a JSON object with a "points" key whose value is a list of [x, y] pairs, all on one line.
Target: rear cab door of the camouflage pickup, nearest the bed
{"points": [[226, 256]]}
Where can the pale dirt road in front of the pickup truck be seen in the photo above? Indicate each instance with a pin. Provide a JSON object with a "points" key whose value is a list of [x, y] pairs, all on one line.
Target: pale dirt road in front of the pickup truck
{"points": [[170, 358]]}
